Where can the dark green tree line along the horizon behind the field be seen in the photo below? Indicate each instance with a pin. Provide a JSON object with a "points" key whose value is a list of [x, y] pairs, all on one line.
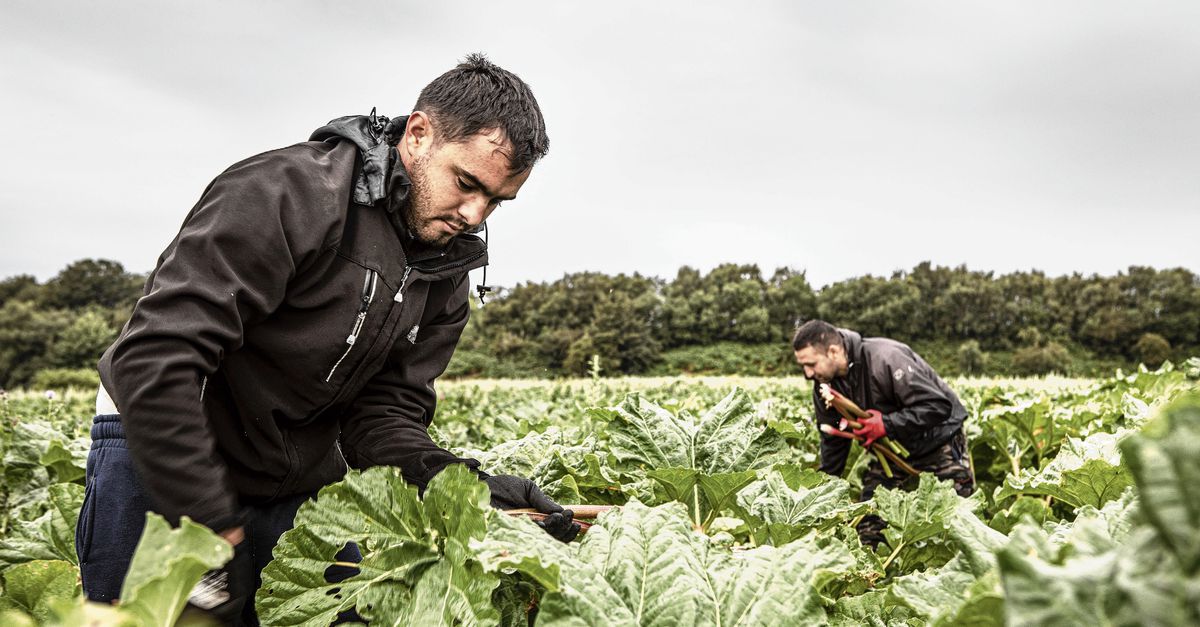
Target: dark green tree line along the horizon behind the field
{"points": [[731, 320]]}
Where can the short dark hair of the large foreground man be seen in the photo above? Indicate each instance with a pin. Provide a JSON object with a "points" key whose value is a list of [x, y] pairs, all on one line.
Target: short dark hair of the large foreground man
{"points": [[478, 97]]}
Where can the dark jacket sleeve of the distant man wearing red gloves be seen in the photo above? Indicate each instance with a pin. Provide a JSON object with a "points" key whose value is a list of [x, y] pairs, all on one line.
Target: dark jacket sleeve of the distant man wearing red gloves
{"points": [[911, 386]]}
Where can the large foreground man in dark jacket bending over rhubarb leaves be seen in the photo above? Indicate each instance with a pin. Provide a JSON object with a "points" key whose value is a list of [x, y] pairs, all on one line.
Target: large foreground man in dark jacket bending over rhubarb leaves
{"points": [[296, 326]]}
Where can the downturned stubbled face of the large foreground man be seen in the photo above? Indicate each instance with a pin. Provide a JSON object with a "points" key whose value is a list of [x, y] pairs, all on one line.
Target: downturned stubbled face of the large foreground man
{"points": [[458, 186]]}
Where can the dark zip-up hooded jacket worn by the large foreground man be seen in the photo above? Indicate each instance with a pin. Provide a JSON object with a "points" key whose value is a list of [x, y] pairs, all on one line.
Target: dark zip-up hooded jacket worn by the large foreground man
{"points": [[292, 329]]}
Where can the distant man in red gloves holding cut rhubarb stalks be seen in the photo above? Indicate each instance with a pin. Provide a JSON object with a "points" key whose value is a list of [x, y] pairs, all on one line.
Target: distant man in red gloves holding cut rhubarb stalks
{"points": [[908, 402]]}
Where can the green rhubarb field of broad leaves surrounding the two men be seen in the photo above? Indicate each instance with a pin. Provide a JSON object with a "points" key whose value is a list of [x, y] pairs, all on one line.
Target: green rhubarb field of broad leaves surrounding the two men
{"points": [[1088, 512]]}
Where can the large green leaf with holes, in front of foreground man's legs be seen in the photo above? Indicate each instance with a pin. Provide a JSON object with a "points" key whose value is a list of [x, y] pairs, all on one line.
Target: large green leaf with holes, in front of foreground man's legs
{"points": [[416, 564]]}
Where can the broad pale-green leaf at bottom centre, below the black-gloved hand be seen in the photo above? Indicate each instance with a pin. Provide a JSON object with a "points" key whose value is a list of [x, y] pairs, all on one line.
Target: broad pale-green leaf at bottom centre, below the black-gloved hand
{"points": [[647, 566]]}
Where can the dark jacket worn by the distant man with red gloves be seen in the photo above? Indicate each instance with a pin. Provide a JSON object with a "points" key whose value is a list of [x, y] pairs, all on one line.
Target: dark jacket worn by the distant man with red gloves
{"points": [[920, 410]]}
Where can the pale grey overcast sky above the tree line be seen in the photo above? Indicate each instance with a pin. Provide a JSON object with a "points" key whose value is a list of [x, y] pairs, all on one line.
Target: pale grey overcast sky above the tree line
{"points": [[843, 139]]}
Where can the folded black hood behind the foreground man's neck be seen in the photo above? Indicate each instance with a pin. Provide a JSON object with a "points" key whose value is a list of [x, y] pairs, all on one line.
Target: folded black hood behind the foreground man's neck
{"points": [[375, 136]]}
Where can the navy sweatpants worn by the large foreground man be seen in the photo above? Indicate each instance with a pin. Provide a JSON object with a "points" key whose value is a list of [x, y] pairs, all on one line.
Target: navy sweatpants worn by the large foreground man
{"points": [[113, 516]]}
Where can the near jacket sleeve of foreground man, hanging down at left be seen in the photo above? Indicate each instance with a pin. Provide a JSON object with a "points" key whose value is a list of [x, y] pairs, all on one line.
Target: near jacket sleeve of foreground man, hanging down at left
{"points": [[227, 270]]}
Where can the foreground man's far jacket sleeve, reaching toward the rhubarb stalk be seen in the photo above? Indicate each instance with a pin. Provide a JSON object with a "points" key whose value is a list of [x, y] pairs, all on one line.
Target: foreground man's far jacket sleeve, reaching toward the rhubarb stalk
{"points": [[388, 423]]}
